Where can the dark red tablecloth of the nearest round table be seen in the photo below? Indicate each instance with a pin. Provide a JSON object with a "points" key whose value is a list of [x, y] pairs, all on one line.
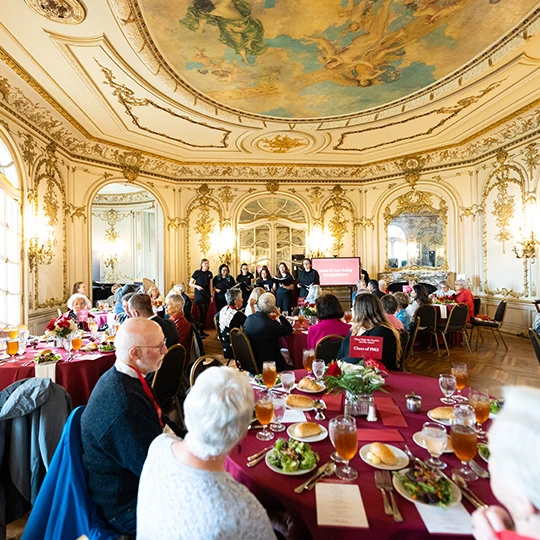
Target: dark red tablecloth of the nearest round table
{"points": [[273, 489]]}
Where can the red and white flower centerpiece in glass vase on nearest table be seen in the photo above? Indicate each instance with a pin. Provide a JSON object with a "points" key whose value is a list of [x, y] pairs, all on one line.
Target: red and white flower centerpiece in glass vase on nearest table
{"points": [[359, 382]]}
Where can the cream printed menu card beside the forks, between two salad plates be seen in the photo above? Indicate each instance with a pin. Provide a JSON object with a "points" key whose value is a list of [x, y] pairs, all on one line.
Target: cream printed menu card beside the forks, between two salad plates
{"points": [[340, 505]]}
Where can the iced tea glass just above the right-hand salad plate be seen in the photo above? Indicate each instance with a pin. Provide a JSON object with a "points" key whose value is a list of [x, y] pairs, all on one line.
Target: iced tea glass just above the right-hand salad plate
{"points": [[464, 439]]}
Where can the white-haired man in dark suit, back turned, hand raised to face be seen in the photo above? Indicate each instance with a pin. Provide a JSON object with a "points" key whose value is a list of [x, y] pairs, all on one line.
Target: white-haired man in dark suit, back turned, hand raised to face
{"points": [[264, 333]]}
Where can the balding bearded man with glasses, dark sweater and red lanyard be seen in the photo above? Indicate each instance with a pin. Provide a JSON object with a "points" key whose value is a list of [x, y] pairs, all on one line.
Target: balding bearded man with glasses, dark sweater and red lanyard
{"points": [[120, 421]]}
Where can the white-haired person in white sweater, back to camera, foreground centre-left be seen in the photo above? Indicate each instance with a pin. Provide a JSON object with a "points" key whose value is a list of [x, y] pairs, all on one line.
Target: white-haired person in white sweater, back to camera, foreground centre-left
{"points": [[185, 492]]}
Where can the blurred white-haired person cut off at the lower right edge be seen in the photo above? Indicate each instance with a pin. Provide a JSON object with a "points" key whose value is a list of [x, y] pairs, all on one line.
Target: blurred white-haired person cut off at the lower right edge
{"points": [[514, 439]]}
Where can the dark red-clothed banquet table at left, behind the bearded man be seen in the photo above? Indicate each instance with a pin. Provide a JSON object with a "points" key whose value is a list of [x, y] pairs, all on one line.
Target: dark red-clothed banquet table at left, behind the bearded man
{"points": [[78, 376]]}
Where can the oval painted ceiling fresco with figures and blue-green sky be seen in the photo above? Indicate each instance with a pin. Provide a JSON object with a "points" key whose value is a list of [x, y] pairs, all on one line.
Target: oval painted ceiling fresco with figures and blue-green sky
{"points": [[318, 58]]}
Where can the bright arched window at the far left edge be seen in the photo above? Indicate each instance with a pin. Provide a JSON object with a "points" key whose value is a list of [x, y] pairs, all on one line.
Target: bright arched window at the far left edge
{"points": [[10, 240]]}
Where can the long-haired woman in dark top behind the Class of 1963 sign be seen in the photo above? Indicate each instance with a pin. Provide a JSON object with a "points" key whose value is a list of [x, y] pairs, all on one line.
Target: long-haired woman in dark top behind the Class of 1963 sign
{"points": [[369, 319]]}
